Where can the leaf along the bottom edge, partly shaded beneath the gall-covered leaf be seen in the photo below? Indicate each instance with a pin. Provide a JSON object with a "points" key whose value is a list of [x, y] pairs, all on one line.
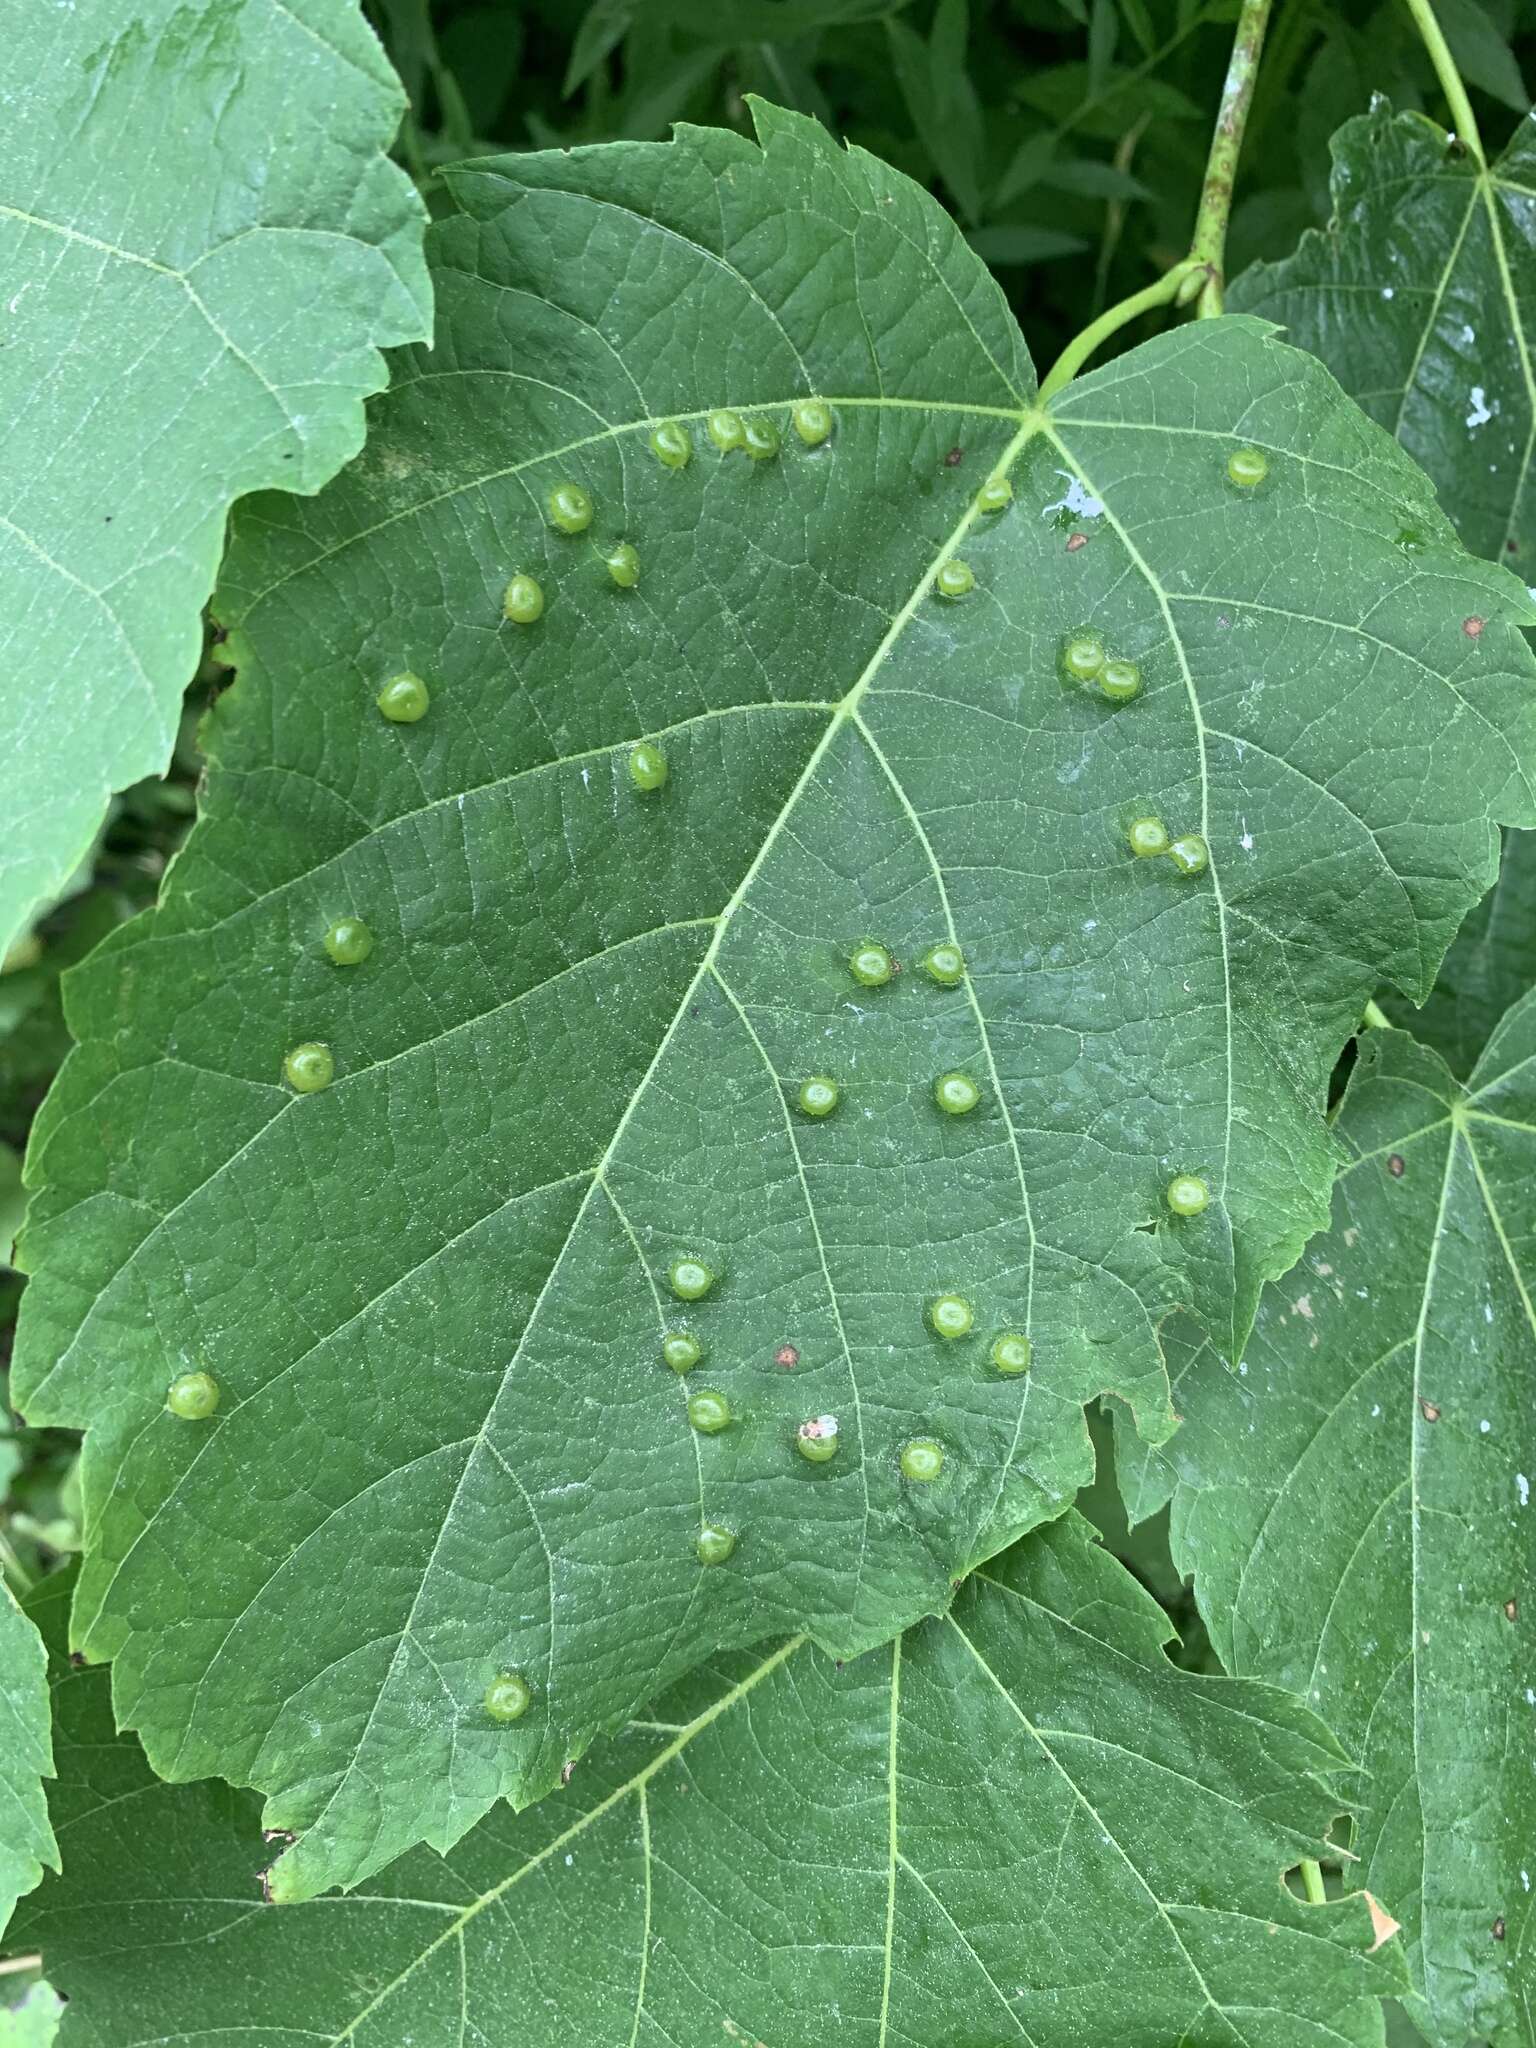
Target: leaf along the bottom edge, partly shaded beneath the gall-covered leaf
{"points": [[1019, 1824]]}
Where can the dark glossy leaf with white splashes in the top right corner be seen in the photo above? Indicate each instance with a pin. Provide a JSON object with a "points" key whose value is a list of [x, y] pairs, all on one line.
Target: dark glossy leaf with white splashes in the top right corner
{"points": [[1422, 298]]}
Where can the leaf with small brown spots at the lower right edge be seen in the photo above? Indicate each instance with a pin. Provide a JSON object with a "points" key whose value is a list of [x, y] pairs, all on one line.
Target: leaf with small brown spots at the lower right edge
{"points": [[1357, 1506]]}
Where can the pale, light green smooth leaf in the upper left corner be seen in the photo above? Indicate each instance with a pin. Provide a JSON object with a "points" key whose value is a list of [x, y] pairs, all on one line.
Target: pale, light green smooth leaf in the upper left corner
{"points": [[206, 249]]}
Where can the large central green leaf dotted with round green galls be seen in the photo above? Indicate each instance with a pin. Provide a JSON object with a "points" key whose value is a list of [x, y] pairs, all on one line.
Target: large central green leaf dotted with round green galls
{"points": [[435, 1293]]}
